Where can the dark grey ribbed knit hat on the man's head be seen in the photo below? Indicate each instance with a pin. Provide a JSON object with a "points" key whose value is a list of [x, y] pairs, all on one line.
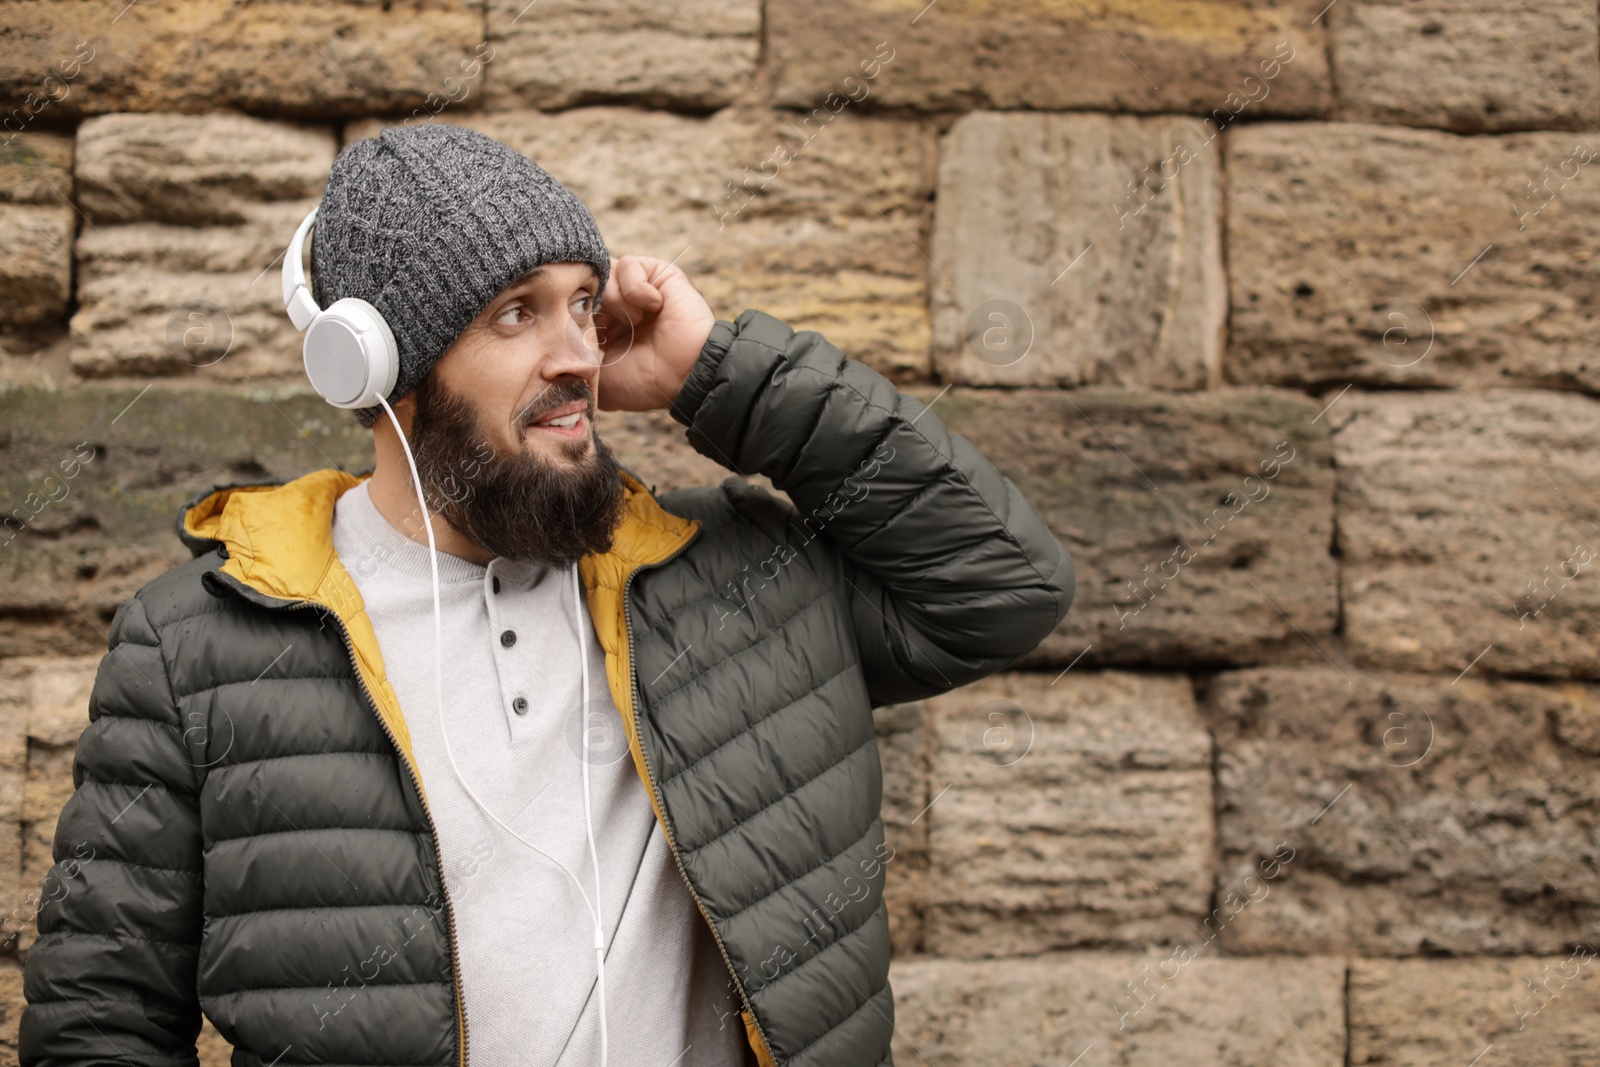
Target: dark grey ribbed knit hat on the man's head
{"points": [[430, 223]]}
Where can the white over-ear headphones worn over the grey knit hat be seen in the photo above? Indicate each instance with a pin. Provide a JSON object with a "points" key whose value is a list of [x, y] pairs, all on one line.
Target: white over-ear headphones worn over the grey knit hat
{"points": [[351, 354]]}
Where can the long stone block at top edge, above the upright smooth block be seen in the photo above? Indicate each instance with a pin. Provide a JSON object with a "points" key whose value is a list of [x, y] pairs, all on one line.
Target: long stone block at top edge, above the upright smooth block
{"points": [[1122, 55]]}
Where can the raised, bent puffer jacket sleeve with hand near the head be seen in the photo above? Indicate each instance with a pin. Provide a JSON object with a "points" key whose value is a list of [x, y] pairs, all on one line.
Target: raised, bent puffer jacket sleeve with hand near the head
{"points": [[948, 572]]}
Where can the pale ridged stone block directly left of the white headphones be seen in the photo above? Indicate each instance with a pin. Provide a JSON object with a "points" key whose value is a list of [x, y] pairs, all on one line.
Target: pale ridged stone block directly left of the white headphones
{"points": [[182, 257]]}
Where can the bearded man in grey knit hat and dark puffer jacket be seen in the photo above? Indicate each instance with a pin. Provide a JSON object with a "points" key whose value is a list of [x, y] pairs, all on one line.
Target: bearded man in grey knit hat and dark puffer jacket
{"points": [[284, 831]]}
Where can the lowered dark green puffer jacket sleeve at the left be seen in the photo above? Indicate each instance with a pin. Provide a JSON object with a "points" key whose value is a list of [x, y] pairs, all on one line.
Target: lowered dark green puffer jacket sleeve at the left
{"points": [[113, 977]]}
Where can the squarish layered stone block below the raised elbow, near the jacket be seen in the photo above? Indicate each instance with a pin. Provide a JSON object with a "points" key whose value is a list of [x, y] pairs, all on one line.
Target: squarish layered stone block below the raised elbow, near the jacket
{"points": [[1070, 813]]}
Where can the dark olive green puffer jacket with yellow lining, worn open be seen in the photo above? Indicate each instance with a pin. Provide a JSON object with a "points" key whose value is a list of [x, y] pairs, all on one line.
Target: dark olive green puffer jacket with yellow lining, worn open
{"points": [[250, 836]]}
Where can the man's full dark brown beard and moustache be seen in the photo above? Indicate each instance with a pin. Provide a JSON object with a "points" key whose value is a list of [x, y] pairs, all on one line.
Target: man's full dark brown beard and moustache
{"points": [[521, 506]]}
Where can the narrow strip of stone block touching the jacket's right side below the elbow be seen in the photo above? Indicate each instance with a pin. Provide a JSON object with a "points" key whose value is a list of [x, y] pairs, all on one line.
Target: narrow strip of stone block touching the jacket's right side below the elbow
{"points": [[903, 751]]}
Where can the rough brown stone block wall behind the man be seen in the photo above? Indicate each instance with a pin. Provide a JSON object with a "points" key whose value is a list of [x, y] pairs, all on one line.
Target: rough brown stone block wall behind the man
{"points": [[1281, 313]]}
